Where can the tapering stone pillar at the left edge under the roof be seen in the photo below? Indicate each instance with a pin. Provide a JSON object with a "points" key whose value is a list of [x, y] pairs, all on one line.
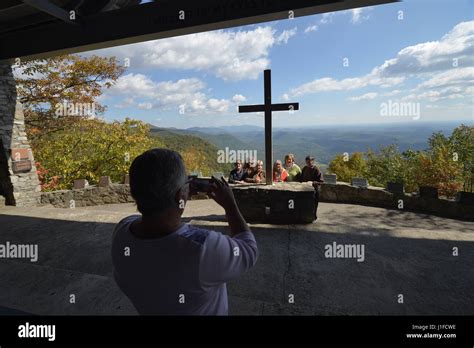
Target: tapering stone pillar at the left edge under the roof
{"points": [[19, 187]]}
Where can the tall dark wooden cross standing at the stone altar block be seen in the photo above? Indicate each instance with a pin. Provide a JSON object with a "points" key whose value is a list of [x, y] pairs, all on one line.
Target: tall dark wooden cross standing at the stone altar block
{"points": [[268, 107]]}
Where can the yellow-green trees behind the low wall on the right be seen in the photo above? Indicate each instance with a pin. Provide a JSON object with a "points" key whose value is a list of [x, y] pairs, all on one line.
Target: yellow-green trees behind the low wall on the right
{"points": [[447, 164]]}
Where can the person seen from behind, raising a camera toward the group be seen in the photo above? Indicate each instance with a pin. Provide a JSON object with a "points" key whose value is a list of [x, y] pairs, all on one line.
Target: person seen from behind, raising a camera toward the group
{"points": [[166, 267]]}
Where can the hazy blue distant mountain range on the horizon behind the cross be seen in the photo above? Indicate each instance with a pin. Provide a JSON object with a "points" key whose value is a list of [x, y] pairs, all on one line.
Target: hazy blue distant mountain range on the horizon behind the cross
{"points": [[323, 142]]}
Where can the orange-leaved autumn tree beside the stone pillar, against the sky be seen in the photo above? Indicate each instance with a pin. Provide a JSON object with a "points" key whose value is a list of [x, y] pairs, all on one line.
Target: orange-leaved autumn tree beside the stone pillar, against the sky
{"points": [[45, 87]]}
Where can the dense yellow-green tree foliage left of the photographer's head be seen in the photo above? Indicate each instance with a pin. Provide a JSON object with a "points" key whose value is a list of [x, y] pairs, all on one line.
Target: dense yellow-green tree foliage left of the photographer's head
{"points": [[89, 149]]}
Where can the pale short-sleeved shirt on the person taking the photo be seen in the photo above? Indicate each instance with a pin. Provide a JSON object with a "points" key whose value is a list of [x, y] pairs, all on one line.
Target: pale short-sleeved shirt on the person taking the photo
{"points": [[183, 273]]}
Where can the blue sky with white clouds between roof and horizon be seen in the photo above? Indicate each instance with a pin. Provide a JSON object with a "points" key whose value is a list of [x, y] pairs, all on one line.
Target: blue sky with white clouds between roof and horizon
{"points": [[421, 56]]}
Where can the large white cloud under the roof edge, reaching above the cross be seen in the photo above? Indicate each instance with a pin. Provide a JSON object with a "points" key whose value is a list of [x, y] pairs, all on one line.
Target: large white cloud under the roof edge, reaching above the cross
{"points": [[229, 55]]}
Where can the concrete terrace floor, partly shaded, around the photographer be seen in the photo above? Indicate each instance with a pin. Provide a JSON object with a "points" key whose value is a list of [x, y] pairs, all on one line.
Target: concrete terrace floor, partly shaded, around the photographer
{"points": [[405, 253]]}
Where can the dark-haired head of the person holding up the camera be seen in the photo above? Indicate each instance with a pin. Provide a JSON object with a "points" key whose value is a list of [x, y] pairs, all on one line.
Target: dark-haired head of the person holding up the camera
{"points": [[155, 177]]}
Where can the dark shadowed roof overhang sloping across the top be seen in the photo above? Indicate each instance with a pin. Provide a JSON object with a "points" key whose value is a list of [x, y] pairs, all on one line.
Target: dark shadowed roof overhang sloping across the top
{"points": [[31, 29]]}
